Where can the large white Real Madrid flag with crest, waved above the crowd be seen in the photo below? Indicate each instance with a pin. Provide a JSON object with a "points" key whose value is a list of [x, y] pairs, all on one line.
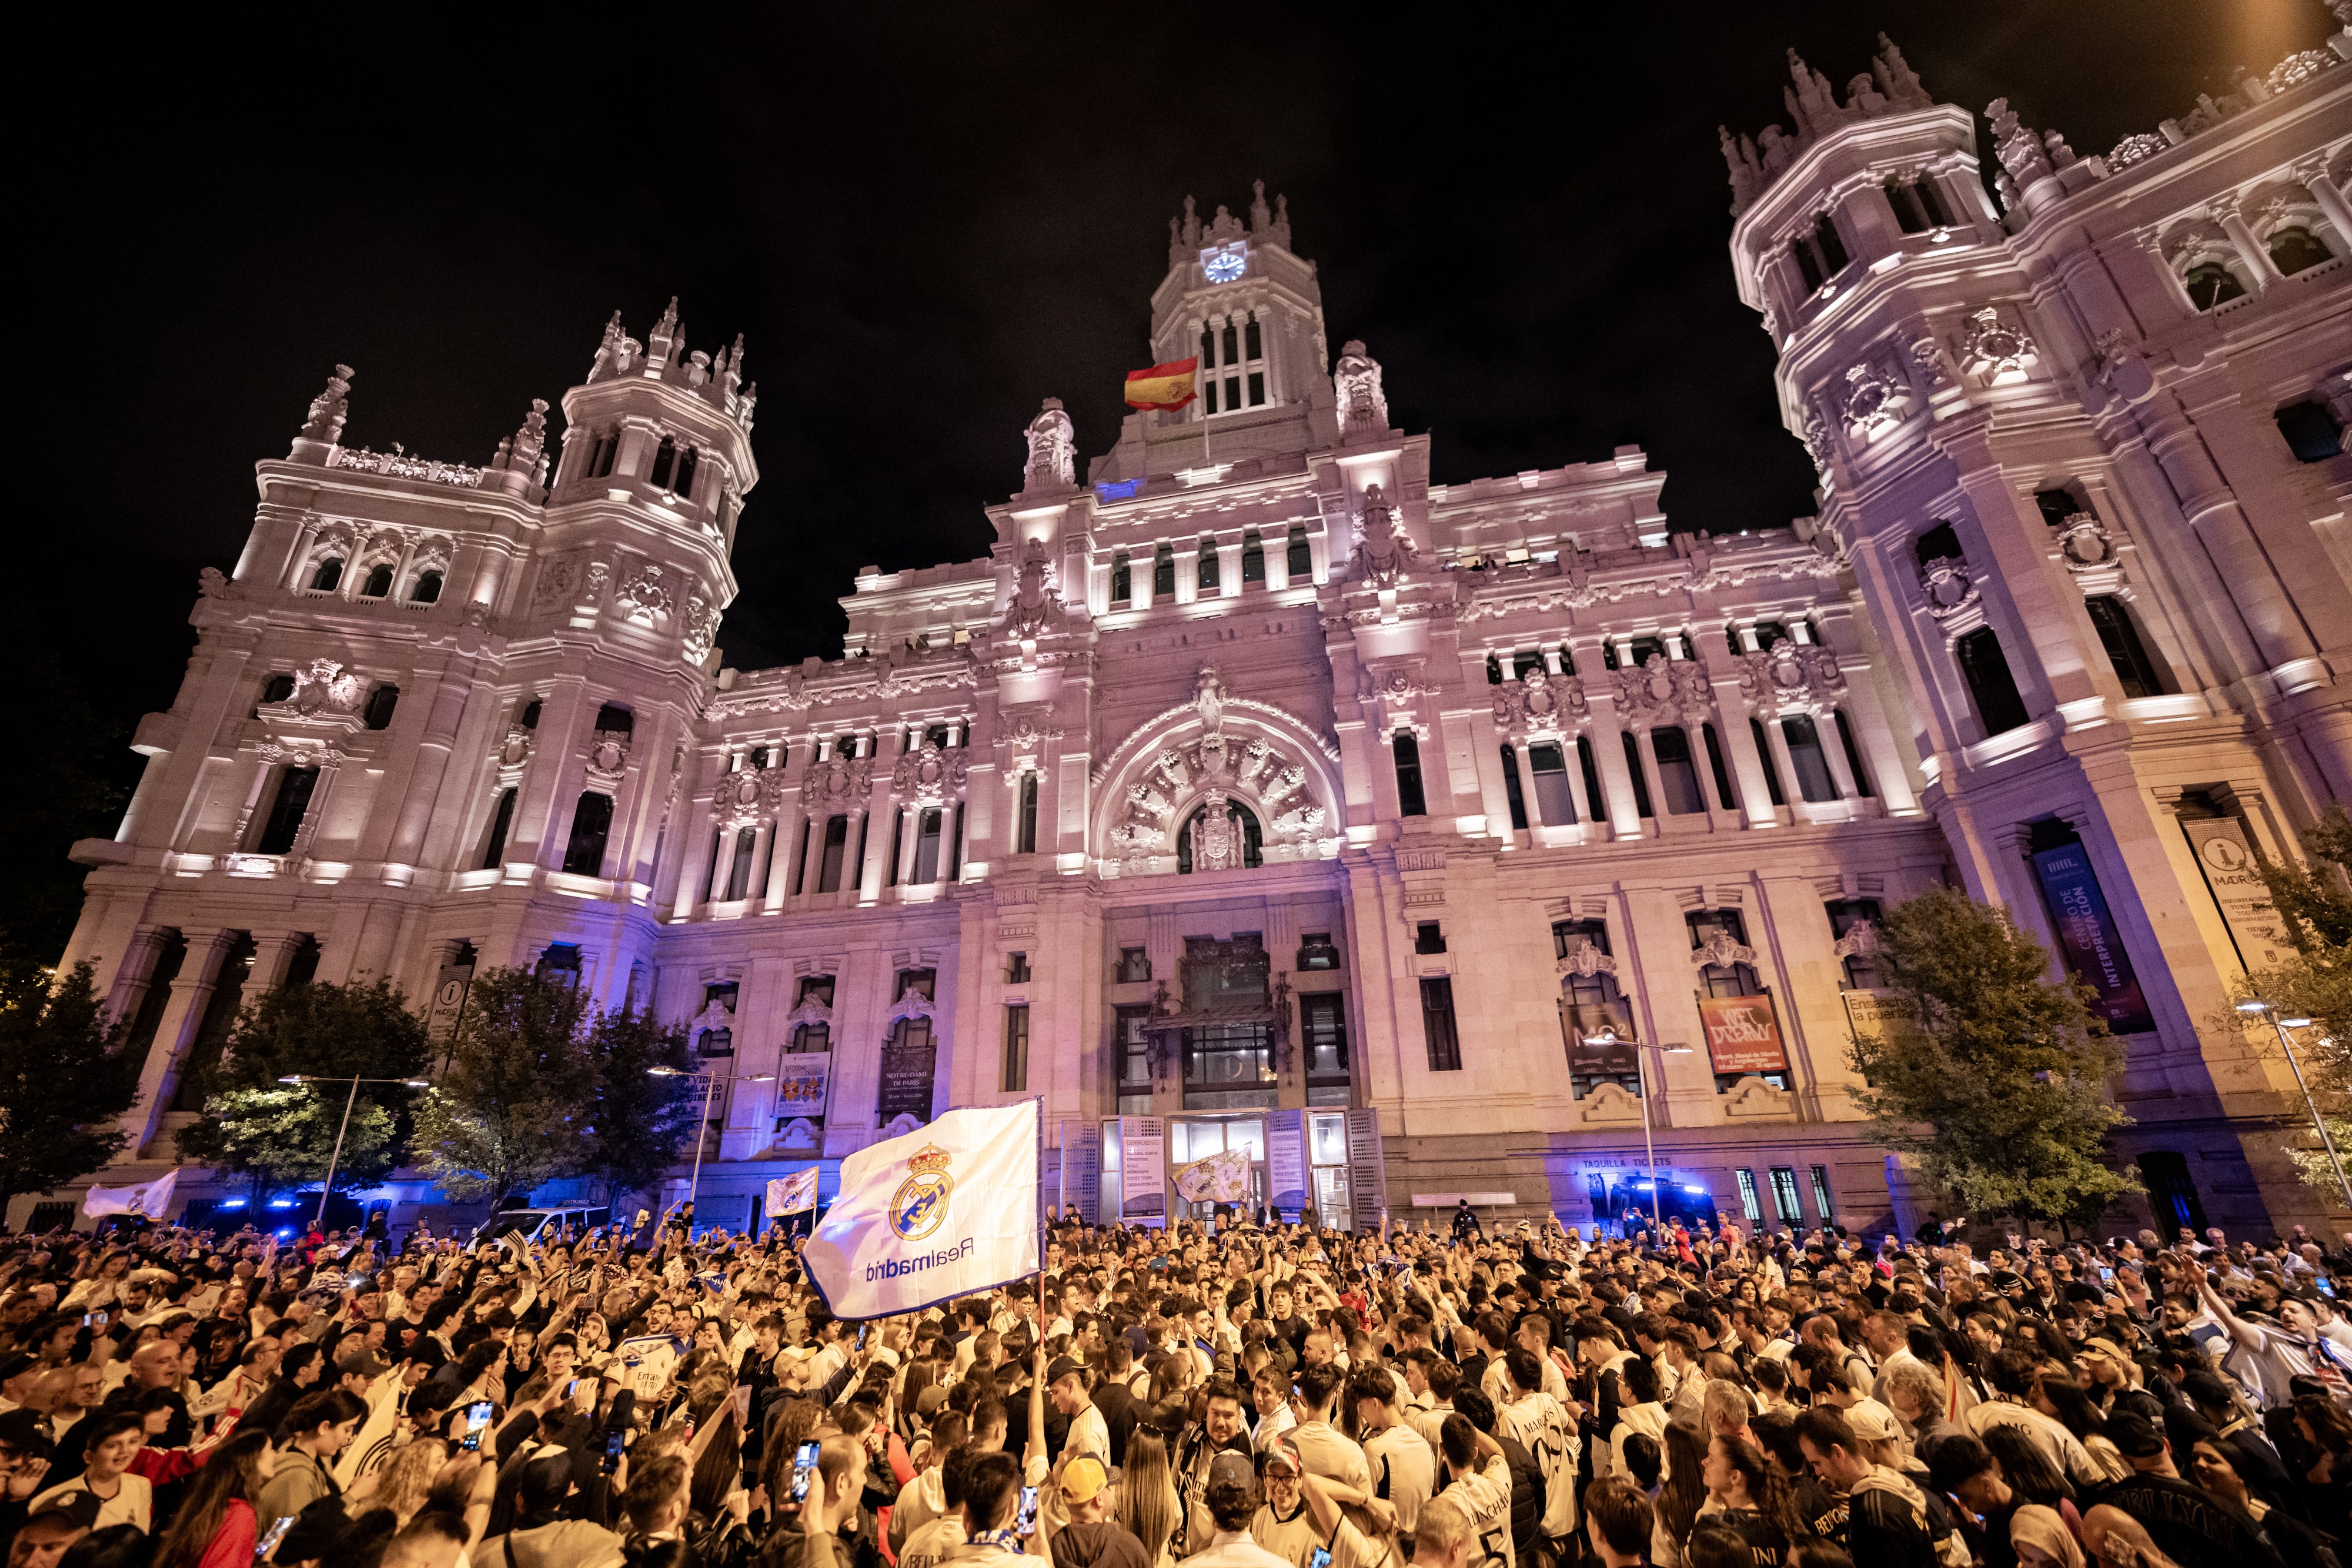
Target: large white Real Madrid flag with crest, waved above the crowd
{"points": [[942, 1212]]}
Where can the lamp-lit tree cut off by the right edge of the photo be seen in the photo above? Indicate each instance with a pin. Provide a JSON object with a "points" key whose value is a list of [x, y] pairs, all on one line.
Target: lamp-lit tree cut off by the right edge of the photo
{"points": [[2313, 981]]}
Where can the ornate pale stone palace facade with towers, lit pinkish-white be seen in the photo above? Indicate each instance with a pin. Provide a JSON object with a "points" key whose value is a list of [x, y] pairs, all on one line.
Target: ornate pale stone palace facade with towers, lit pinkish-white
{"points": [[1262, 796]]}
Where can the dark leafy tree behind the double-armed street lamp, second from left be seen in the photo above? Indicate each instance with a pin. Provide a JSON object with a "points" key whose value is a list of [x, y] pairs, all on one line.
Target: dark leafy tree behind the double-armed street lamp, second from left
{"points": [[281, 1134]]}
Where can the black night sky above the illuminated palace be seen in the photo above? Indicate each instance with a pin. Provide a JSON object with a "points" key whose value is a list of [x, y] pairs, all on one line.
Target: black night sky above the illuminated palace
{"points": [[923, 220]]}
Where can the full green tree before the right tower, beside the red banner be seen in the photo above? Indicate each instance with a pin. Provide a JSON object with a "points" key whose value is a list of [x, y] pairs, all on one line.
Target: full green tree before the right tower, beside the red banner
{"points": [[1989, 1073]]}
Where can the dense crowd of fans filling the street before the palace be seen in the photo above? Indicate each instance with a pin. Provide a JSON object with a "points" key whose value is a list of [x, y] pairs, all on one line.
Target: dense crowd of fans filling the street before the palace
{"points": [[1241, 1395]]}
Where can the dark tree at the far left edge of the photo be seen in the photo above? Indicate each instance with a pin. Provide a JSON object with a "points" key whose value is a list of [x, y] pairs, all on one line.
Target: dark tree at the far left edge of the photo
{"points": [[67, 1076]]}
